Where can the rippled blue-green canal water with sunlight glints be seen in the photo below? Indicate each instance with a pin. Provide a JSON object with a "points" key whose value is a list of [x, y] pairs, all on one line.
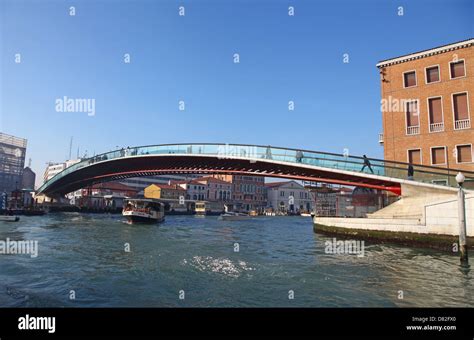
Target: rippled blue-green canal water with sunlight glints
{"points": [[192, 261]]}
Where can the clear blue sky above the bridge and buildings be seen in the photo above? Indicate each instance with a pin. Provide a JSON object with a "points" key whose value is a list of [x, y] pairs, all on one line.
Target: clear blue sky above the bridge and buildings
{"points": [[190, 58]]}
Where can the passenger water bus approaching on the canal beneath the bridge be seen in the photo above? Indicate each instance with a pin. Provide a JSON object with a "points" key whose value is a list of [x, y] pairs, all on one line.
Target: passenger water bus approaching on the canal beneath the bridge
{"points": [[143, 211]]}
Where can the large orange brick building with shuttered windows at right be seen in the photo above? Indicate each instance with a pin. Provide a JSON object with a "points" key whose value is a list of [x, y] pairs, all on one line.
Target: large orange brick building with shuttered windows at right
{"points": [[427, 103]]}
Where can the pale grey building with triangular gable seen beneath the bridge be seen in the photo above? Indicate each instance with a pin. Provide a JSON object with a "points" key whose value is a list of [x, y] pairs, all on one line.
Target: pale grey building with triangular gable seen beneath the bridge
{"points": [[289, 197]]}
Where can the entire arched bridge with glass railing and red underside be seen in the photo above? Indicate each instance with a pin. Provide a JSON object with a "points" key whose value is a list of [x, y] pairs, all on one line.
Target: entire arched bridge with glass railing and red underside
{"points": [[242, 159]]}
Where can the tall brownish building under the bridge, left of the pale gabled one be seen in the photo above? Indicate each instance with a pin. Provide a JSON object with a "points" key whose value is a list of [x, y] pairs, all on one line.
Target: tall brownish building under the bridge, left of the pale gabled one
{"points": [[248, 192]]}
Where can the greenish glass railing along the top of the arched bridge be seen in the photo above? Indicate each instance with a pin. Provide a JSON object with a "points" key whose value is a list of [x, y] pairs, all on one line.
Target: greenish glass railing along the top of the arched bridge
{"points": [[422, 173]]}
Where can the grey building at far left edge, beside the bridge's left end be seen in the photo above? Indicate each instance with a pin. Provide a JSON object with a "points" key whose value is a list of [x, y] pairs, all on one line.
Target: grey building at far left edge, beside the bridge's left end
{"points": [[12, 162]]}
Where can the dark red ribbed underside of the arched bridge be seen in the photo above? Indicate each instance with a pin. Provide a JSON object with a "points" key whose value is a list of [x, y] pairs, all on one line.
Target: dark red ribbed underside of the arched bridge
{"points": [[123, 168]]}
